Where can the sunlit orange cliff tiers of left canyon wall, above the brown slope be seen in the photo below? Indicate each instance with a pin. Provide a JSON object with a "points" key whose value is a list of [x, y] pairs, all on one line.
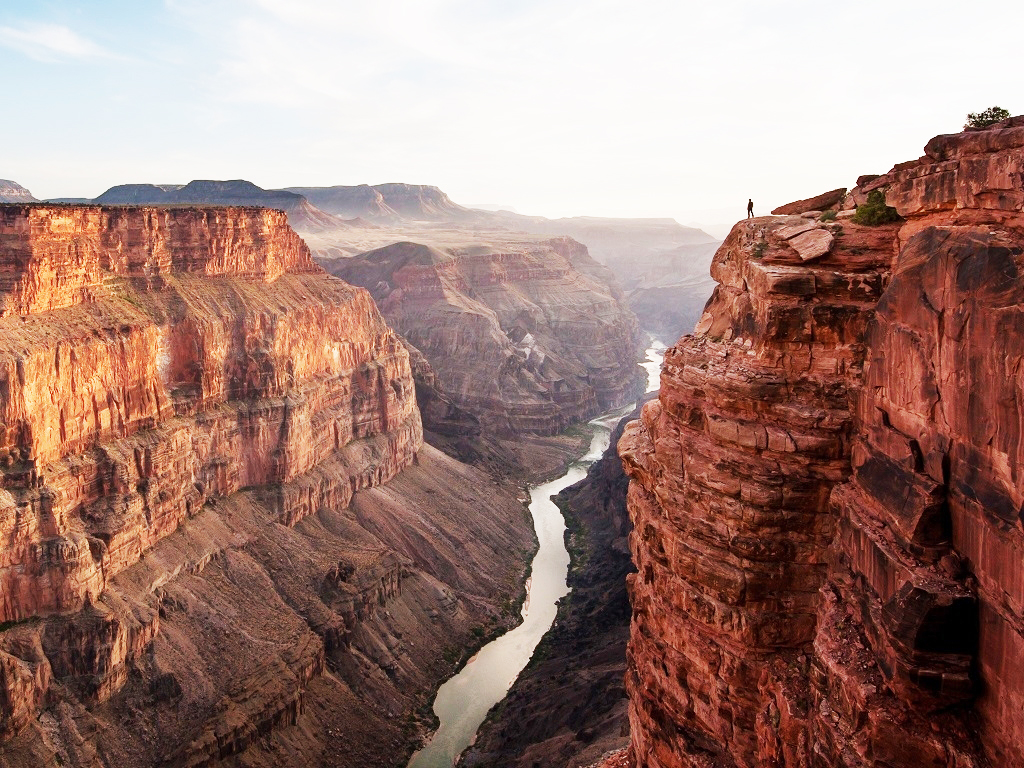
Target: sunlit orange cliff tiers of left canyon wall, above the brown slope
{"points": [[126, 403]]}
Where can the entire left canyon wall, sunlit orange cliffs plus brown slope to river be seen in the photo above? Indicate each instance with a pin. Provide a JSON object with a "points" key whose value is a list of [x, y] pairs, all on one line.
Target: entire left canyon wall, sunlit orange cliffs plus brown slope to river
{"points": [[221, 532]]}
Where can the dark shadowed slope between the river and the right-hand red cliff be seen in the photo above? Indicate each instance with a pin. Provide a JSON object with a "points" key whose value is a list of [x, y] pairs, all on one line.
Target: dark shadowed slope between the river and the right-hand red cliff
{"points": [[568, 708]]}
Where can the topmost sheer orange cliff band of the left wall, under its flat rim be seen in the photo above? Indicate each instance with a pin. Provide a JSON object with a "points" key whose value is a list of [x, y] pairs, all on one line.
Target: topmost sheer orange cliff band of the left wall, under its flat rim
{"points": [[55, 254]]}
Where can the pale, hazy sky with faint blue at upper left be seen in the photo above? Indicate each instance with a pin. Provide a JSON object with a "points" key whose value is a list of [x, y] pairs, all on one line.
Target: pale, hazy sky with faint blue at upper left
{"points": [[558, 108]]}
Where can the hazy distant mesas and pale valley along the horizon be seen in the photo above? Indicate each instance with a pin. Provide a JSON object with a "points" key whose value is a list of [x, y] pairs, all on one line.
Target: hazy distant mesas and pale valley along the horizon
{"points": [[661, 266]]}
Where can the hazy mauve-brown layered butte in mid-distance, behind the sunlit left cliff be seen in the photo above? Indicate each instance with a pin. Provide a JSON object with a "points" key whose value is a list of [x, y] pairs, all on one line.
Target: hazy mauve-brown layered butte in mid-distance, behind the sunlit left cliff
{"points": [[530, 339]]}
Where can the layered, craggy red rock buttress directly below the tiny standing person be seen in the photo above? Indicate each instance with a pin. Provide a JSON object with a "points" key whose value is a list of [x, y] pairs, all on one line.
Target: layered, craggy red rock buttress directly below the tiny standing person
{"points": [[732, 473]]}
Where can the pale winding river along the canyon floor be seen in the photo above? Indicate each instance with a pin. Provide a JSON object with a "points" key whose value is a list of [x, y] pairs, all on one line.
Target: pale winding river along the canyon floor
{"points": [[463, 702]]}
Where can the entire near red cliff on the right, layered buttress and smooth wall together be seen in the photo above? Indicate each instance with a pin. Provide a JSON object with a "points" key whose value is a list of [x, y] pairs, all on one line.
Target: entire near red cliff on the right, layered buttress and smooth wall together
{"points": [[827, 499]]}
